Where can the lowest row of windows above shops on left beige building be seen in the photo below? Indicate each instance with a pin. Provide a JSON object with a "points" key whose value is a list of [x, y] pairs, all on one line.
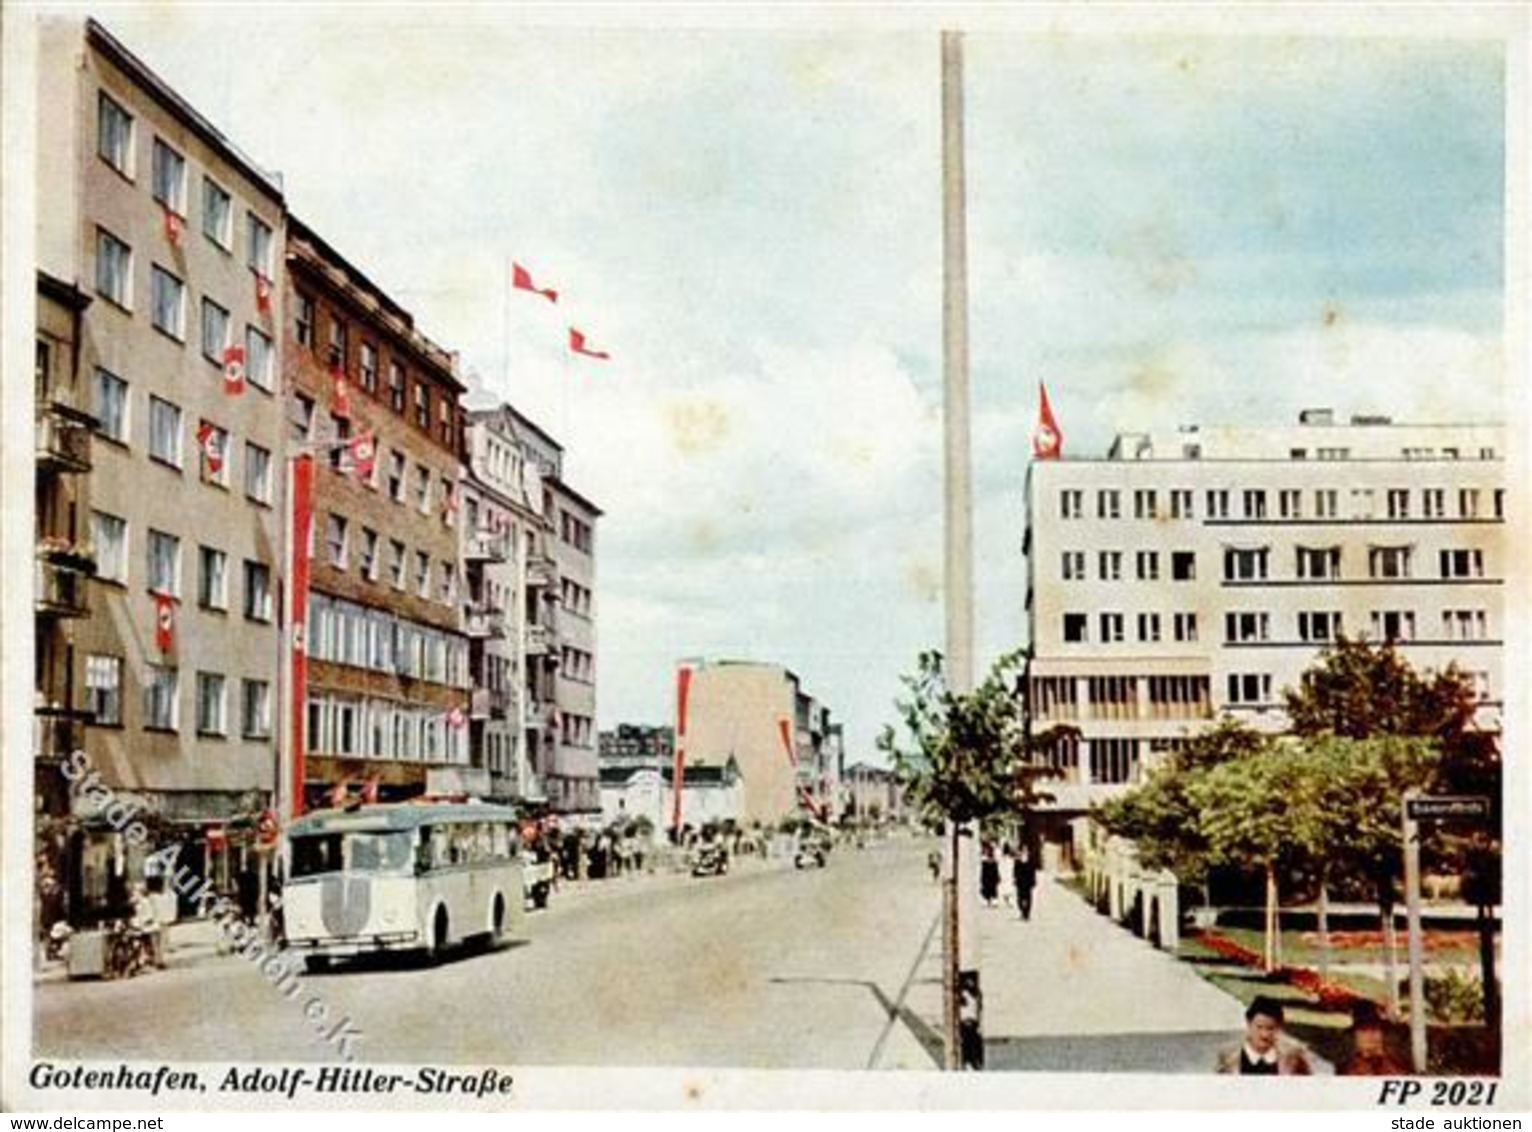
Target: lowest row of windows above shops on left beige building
{"points": [[162, 704]]}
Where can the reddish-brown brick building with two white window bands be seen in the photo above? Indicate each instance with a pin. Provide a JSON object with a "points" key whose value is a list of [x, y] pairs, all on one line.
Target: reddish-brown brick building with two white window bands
{"points": [[388, 658]]}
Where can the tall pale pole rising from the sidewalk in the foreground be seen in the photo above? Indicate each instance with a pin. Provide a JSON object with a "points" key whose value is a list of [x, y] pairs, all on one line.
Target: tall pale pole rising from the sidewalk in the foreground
{"points": [[958, 563]]}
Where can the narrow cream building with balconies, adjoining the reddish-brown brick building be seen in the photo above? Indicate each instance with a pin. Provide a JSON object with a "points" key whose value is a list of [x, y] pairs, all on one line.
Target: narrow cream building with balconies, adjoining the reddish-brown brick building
{"points": [[511, 589]]}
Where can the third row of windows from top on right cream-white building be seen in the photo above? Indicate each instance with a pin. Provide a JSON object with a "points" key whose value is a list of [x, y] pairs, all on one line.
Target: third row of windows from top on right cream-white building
{"points": [[1255, 627]]}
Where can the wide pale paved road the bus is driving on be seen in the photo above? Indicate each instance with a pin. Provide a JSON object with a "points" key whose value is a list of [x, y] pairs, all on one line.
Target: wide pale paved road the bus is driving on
{"points": [[768, 969]]}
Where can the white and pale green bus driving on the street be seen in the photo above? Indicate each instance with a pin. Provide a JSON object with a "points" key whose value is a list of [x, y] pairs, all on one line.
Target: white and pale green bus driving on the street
{"points": [[410, 877]]}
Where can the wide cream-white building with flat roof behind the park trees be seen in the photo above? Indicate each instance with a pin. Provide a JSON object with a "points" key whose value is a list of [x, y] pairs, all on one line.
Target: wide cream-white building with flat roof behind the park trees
{"points": [[1199, 574]]}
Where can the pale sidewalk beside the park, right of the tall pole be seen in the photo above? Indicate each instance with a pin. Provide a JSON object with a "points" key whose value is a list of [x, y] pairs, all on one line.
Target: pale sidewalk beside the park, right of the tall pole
{"points": [[1070, 992]]}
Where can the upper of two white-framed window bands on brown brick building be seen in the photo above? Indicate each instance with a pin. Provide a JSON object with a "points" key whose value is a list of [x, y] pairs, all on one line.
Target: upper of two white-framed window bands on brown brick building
{"points": [[381, 641]]}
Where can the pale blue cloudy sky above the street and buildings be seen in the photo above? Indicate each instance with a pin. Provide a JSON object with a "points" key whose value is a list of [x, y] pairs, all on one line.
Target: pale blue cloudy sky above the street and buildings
{"points": [[1164, 227]]}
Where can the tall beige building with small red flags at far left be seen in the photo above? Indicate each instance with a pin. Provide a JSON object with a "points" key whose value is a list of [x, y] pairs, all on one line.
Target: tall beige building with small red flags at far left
{"points": [[174, 235]]}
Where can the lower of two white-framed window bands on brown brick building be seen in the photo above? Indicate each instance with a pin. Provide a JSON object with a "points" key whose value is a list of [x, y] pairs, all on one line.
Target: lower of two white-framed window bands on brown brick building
{"points": [[375, 728]]}
